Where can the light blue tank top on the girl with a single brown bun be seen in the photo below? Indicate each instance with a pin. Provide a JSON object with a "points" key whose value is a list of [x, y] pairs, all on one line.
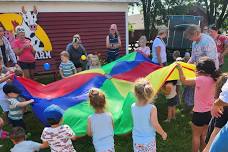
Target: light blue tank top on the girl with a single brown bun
{"points": [[102, 129]]}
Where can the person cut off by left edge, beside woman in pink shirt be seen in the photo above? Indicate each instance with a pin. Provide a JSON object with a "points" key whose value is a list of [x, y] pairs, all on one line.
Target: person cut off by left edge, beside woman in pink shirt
{"points": [[5, 48]]}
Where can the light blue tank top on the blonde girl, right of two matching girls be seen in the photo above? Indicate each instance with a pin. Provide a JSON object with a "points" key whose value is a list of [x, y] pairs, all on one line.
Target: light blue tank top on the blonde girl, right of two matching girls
{"points": [[143, 131]]}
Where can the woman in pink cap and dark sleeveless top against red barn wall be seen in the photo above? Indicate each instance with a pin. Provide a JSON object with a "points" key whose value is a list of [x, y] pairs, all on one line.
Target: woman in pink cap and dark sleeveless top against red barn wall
{"points": [[113, 43]]}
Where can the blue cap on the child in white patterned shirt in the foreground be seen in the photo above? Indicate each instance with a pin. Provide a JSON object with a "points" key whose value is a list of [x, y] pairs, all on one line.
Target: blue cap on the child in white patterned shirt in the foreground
{"points": [[53, 112]]}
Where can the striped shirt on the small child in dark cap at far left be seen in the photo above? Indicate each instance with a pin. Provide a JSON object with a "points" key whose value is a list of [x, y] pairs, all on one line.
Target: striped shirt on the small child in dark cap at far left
{"points": [[15, 112]]}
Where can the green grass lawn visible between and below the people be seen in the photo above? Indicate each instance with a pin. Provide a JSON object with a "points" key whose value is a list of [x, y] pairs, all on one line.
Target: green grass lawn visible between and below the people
{"points": [[179, 131]]}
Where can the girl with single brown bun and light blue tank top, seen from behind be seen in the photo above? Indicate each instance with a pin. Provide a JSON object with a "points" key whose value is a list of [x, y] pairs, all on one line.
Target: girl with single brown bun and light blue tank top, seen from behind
{"points": [[102, 136]]}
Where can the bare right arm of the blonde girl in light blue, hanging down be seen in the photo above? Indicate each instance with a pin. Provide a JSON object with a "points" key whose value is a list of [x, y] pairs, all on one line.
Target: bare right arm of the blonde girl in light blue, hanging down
{"points": [[156, 125]]}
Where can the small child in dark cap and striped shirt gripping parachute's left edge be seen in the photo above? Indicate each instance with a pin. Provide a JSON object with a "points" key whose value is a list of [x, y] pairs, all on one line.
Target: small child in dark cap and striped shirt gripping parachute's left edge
{"points": [[15, 114]]}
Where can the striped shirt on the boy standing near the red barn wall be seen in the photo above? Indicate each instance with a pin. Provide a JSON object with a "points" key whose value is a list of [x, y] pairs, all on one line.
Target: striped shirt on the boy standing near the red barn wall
{"points": [[67, 68]]}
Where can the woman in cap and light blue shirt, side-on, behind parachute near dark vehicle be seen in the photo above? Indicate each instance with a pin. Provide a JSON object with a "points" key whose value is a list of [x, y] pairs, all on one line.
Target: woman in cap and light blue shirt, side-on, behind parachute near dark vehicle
{"points": [[159, 47]]}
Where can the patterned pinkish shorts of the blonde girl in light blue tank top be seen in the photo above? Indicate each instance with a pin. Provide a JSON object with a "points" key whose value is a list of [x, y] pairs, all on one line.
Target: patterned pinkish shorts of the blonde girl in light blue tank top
{"points": [[150, 147]]}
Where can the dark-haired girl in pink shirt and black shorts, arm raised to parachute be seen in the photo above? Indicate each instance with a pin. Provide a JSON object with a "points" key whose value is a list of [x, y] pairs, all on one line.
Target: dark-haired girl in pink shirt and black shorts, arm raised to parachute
{"points": [[206, 76]]}
